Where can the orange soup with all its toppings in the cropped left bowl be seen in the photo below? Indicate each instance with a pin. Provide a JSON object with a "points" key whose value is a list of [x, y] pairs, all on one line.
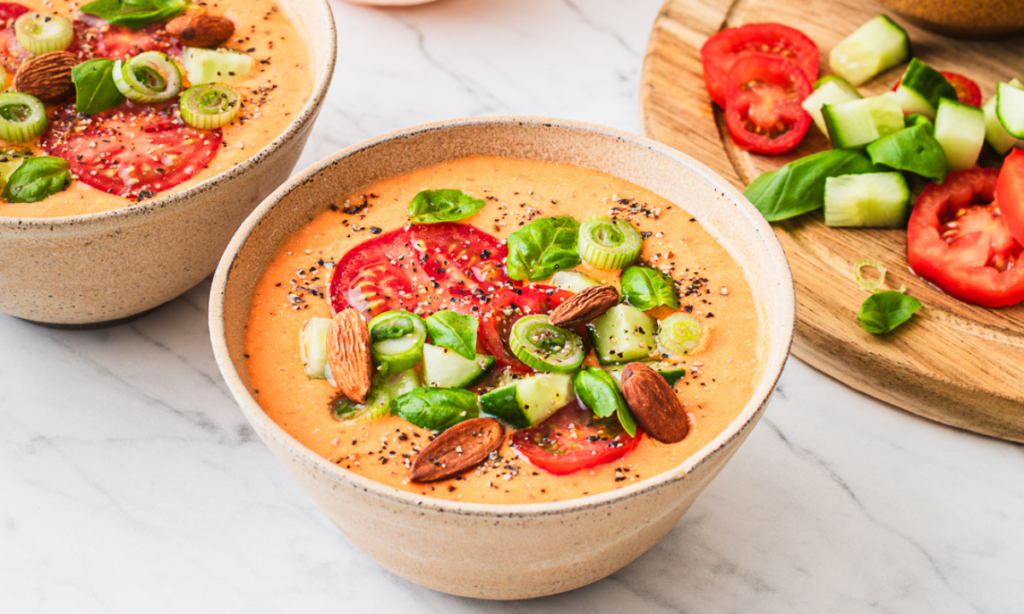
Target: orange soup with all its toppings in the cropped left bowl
{"points": [[145, 100]]}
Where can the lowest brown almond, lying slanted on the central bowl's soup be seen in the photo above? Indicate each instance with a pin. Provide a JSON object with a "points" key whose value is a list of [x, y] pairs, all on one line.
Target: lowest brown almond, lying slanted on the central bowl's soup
{"points": [[460, 449]]}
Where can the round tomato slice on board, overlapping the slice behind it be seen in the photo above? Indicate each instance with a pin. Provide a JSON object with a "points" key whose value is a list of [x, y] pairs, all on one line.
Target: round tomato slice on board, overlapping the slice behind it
{"points": [[762, 109]]}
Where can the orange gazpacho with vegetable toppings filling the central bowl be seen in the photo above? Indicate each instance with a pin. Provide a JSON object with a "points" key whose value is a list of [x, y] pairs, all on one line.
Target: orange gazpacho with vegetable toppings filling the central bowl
{"points": [[495, 247]]}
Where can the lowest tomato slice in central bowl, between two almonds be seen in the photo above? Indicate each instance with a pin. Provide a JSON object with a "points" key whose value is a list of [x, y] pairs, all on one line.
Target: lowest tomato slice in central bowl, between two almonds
{"points": [[559, 449]]}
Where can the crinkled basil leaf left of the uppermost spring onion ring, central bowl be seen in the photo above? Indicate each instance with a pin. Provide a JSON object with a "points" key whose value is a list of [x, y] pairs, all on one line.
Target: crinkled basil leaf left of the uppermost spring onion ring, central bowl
{"points": [[543, 247]]}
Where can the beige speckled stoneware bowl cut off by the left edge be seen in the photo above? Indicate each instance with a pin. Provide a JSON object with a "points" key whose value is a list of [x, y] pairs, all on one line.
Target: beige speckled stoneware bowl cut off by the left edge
{"points": [[90, 271]]}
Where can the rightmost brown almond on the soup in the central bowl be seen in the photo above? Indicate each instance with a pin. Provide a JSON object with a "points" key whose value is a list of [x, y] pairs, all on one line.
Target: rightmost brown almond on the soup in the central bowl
{"points": [[655, 404]]}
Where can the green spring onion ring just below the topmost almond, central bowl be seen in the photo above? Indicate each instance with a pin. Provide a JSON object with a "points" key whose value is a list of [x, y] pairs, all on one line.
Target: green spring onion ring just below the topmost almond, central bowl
{"points": [[545, 347]]}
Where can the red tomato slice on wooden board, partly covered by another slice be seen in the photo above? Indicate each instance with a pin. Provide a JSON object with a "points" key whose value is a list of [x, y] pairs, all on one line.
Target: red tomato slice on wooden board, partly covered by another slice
{"points": [[774, 40]]}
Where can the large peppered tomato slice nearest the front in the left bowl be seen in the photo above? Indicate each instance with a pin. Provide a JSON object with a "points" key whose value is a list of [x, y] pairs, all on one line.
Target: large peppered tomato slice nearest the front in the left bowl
{"points": [[133, 151]]}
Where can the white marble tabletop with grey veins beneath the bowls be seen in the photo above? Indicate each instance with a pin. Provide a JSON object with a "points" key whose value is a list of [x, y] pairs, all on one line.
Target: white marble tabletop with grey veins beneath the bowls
{"points": [[131, 484]]}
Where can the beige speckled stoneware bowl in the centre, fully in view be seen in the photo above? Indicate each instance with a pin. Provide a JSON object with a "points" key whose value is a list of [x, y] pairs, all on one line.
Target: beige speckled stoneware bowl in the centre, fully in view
{"points": [[492, 551]]}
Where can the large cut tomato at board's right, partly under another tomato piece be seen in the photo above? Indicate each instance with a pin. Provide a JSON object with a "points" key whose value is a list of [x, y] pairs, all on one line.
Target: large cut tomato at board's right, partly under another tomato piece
{"points": [[958, 239]]}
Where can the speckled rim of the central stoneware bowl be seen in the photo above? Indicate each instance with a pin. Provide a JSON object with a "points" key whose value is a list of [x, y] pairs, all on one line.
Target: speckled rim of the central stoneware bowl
{"points": [[775, 361]]}
